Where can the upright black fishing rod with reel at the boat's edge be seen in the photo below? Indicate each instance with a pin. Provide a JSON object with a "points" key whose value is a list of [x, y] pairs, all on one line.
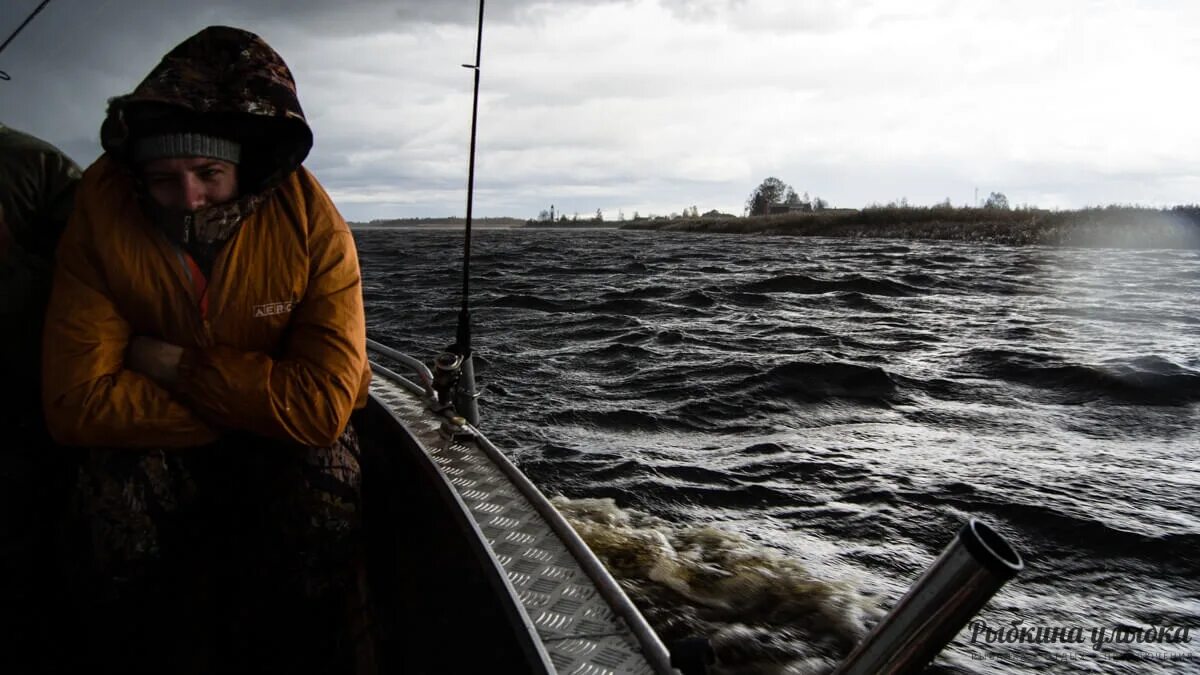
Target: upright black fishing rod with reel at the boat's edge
{"points": [[455, 369]]}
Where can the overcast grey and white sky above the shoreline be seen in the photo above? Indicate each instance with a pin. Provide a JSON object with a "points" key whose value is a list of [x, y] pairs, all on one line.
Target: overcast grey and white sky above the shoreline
{"points": [[653, 106]]}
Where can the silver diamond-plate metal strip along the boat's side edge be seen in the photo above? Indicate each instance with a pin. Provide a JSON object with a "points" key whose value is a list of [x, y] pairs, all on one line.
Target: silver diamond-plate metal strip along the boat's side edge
{"points": [[575, 623]]}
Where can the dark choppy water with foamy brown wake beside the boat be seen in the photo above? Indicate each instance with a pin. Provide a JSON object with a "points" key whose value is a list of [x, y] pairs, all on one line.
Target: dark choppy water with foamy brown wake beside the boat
{"points": [[770, 439]]}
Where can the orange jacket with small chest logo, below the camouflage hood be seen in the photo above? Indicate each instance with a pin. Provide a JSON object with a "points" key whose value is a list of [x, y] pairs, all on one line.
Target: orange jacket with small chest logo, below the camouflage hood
{"points": [[281, 351]]}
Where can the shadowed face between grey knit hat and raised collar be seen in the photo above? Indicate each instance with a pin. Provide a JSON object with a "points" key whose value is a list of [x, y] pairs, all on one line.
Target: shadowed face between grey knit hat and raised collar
{"points": [[191, 183]]}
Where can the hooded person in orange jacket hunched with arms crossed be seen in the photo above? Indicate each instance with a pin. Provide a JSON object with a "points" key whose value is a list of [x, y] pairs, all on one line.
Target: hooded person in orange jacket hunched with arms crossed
{"points": [[206, 341]]}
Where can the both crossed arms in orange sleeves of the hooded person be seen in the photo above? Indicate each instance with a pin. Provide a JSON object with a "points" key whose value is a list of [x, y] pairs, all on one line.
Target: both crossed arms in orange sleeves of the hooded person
{"points": [[105, 386]]}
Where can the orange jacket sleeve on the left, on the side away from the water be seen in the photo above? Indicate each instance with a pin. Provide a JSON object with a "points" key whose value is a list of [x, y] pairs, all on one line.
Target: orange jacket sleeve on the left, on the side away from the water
{"points": [[89, 397]]}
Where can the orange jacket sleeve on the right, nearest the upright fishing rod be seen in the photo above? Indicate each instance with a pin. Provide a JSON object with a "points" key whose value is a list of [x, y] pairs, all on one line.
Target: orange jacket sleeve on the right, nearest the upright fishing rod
{"points": [[307, 396]]}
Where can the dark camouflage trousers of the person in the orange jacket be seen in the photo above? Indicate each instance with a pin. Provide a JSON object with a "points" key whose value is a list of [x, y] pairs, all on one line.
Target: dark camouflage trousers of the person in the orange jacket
{"points": [[250, 537]]}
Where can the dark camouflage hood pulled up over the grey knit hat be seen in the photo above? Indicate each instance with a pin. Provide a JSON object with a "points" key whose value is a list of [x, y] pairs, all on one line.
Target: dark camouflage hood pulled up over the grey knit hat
{"points": [[221, 81]]}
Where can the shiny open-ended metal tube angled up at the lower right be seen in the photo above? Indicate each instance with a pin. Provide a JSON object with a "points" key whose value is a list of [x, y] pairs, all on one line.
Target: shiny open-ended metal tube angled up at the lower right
{"points": [[955, 588]]}
